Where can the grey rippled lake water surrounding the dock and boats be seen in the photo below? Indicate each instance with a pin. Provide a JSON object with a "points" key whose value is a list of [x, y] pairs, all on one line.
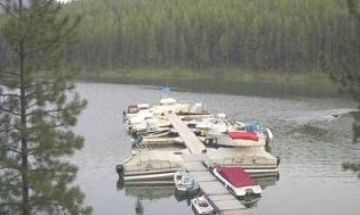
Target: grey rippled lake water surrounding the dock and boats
{"points": [[312, 146]]}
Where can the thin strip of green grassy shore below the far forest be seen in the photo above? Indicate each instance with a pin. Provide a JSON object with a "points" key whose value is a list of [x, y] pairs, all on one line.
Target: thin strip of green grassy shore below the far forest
{"points": [[226, 75]]}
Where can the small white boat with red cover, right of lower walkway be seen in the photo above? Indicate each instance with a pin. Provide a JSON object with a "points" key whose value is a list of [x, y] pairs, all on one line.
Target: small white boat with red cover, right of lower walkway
{"points": [[238, 181]]}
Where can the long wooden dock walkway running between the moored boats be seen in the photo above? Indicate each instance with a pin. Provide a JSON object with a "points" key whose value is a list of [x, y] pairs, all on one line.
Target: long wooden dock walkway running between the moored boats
{"points": [[219, 197]]}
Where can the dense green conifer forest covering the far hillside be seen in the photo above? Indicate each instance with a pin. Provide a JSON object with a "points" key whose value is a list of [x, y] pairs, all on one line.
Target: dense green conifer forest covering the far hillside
{"points": [[283, 35]]}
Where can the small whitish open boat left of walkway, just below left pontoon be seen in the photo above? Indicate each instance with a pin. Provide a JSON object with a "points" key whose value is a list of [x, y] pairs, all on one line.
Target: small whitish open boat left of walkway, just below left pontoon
{"points": [[185, 182]]}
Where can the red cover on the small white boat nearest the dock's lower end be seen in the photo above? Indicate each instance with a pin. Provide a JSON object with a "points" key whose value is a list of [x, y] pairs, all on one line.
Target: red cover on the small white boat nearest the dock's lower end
{"points": [[236, 176]]}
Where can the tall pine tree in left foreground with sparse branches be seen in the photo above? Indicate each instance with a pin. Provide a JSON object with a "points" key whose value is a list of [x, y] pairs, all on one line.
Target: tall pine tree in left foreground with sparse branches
{"points": [[38, 106]]}
